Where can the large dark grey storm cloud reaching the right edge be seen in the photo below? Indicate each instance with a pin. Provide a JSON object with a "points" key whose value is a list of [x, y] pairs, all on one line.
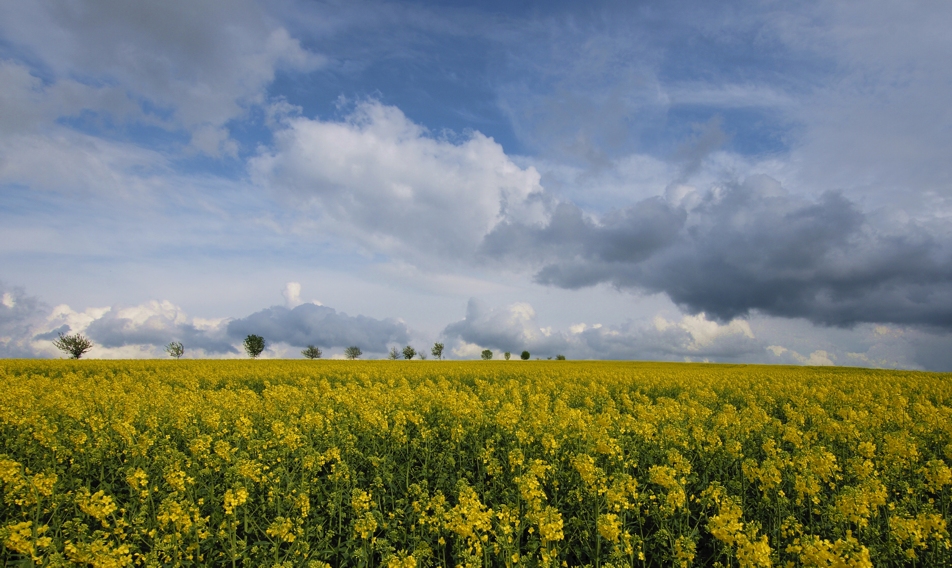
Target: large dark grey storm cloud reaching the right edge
{"points": [[745, 247]]}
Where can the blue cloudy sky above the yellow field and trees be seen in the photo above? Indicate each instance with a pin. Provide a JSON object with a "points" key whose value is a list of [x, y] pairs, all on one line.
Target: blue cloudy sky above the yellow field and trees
{"points": [[746, 182]]}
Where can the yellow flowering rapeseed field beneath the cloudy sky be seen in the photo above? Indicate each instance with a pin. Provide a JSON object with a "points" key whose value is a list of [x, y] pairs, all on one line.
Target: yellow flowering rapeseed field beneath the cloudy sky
{"points": [[429, 463]]}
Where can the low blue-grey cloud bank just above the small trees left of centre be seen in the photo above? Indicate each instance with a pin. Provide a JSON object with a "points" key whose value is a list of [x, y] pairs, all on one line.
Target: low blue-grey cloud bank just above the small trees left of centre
{"points": [[310, 324]]}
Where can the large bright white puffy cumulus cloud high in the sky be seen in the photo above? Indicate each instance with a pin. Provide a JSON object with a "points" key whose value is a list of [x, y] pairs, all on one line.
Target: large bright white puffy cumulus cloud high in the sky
{"points": [[385, 182]]}
